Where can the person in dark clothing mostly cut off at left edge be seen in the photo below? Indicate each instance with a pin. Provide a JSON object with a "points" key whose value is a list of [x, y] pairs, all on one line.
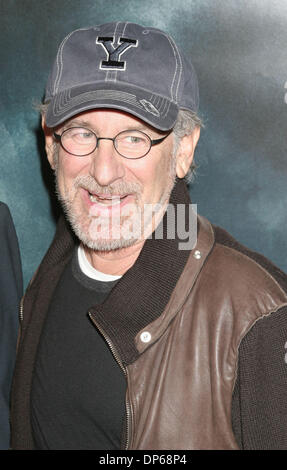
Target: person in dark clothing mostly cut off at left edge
{"points": [[10, 294]]}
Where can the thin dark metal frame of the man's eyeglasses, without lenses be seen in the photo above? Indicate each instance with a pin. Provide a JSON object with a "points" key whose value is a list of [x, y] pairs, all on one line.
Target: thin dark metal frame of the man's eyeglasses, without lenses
{"points": [[58, 138]]}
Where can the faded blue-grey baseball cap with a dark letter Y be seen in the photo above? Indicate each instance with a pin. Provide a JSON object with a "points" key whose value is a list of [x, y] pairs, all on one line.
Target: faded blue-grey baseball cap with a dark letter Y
{"points": [[123, 66]]}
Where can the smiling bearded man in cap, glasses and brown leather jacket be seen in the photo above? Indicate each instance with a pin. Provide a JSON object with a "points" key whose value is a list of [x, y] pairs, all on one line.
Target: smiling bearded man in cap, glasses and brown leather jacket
{"points": [[131, 338]]}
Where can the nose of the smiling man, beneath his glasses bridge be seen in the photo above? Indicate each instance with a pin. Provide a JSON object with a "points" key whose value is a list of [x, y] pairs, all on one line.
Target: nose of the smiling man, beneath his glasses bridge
{"points": [[107, 165]]}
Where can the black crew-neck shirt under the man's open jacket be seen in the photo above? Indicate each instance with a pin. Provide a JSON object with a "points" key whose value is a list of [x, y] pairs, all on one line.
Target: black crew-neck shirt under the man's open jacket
{"points": [[78, 391]]}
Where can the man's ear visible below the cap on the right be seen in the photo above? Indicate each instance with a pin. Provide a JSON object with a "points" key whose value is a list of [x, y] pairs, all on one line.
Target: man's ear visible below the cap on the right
{"points": [[185, 153]]}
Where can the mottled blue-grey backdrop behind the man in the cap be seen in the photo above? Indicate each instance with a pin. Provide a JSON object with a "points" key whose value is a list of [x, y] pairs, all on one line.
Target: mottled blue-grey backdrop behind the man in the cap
{"points": [[238, 48]]}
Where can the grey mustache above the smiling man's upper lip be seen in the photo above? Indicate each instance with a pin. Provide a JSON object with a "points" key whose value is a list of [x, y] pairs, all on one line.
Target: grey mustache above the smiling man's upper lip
{"points": [[120, 188]]}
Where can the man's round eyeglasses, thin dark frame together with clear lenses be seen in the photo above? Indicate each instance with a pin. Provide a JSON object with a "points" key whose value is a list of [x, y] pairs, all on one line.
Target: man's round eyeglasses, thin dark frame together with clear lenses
{"points": [[80, 141]]}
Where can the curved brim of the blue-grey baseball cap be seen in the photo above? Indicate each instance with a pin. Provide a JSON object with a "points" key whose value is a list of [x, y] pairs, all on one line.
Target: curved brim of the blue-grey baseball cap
{"points": [[155, 110]]}
